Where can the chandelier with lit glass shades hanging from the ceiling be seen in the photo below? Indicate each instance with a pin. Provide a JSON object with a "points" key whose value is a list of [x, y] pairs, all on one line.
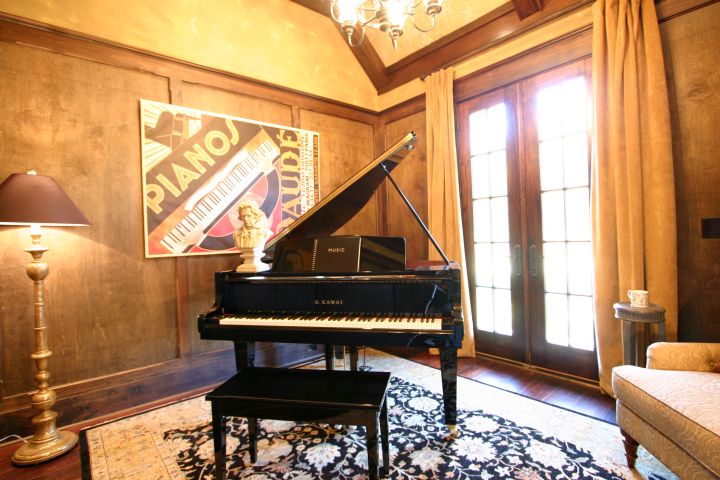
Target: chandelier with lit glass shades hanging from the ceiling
{"points": [[386, 15]]}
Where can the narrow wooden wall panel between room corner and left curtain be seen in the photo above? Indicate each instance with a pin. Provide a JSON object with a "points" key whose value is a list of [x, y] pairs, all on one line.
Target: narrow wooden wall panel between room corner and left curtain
{"points": [[411, 177]]}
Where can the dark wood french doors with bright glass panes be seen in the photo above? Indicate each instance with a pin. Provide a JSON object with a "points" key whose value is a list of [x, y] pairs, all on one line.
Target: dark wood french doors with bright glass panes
{"points": [[524, 173]]}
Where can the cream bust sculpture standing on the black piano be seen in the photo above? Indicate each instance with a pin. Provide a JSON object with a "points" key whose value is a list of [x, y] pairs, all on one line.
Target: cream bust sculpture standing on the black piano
{"points": [[250, 238]]}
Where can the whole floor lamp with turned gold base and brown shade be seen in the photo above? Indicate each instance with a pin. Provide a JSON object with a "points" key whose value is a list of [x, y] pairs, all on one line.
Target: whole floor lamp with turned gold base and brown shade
{"points": [[35, 200]]}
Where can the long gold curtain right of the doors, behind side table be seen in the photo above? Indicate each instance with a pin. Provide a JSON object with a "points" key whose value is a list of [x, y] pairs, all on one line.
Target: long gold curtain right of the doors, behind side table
{"points": [[633, 187]]}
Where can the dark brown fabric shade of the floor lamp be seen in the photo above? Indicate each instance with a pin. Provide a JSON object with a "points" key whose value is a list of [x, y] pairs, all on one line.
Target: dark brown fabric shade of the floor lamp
{"points": [[28, 198]]}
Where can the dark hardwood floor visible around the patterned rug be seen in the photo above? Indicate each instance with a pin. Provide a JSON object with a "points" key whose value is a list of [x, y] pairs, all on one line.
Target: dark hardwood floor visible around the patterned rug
{"points": [[525, 381]]}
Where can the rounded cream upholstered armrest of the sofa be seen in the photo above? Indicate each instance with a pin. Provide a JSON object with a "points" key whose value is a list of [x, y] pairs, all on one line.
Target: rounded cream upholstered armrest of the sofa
{"points": [[698, 357]]}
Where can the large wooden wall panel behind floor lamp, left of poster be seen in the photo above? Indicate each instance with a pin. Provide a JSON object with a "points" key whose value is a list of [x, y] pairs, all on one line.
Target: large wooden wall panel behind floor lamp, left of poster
{"points": [[108, 308]]}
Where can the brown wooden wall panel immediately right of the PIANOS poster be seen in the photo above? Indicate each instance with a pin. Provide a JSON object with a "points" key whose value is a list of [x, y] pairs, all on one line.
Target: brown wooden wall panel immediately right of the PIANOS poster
{"points": [[345, 147]]}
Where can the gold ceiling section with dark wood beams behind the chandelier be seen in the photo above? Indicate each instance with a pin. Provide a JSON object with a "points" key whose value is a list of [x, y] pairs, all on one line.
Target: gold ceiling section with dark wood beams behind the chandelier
{"points": [[463, 28]]}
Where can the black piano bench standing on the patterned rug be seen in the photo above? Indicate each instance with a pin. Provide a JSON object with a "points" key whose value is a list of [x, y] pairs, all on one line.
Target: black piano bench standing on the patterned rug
{"points": [[314, 396]]}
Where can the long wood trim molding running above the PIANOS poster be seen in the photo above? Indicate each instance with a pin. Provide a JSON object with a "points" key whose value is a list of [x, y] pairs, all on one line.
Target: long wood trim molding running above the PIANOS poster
{"points": [[67, 42]]}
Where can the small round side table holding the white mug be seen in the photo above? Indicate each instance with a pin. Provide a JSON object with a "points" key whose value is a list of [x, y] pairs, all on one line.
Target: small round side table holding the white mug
{"points": [[634, 318]]}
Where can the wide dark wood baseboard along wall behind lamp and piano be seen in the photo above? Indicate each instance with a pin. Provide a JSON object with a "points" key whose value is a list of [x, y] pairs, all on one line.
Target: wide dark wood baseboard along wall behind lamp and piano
{"points": [[101, 396]]}
